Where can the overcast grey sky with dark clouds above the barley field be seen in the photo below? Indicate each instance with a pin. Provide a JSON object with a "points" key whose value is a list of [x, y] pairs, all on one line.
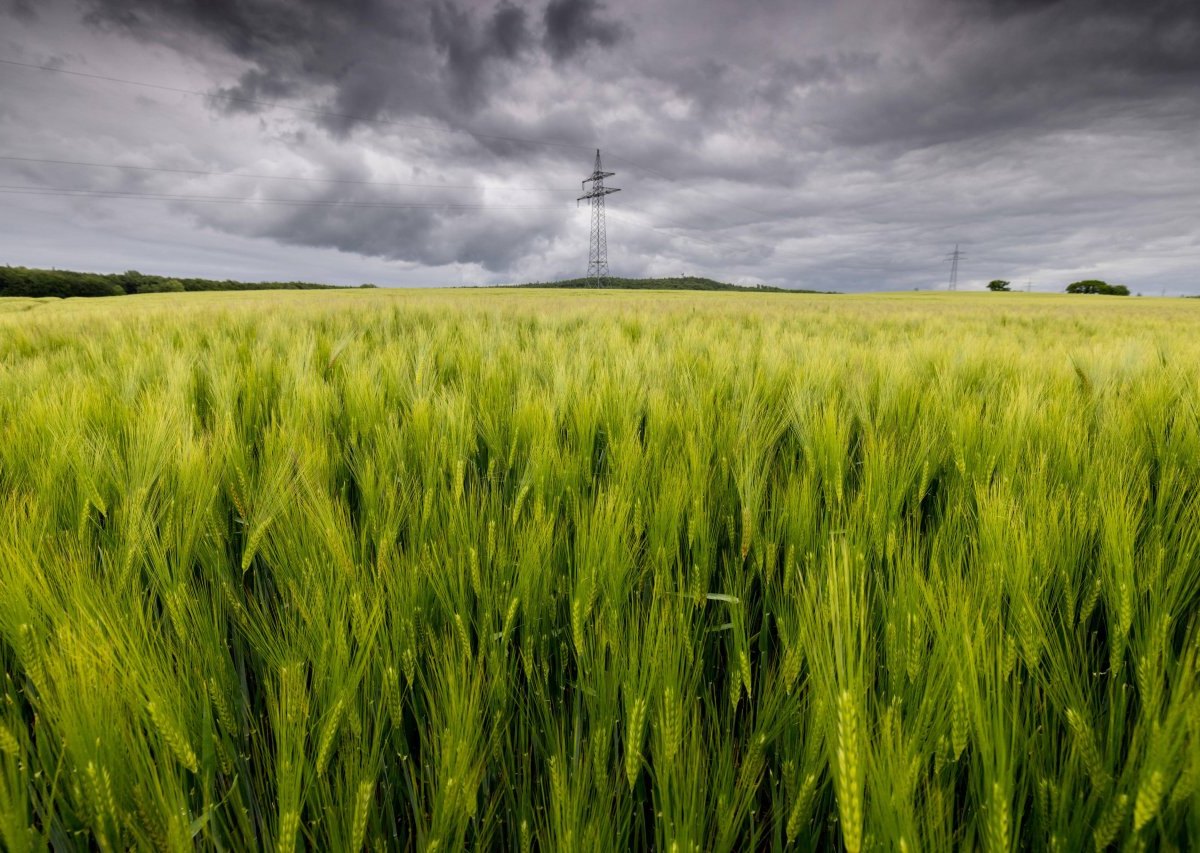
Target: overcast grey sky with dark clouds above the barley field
{"points": [[829, 145]]}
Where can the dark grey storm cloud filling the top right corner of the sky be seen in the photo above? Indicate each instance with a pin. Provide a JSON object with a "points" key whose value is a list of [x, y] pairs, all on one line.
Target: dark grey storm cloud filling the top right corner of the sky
{"points": [[1047, 67]]}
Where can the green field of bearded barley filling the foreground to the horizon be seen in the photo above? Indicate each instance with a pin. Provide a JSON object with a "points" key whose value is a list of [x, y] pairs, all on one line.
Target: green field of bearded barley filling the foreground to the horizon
{"points": [[597, 572]]}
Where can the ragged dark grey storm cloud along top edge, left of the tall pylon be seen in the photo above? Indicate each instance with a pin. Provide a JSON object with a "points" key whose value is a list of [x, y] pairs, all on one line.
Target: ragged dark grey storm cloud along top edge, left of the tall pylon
{"points": [[382, 59]]}
